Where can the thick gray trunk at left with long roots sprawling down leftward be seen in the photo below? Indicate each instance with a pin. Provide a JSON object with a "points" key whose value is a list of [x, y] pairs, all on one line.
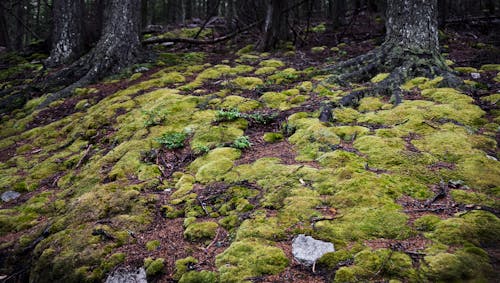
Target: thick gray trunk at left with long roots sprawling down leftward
{"points": [[118, 47]]}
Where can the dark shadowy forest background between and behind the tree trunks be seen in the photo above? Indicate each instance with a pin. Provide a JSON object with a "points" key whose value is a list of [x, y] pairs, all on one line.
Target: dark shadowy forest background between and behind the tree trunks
{"points": [[28, 24]]}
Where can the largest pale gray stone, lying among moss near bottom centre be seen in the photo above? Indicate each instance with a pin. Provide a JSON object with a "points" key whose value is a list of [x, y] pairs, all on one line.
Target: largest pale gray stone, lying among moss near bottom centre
{"points": [[307, 250]]}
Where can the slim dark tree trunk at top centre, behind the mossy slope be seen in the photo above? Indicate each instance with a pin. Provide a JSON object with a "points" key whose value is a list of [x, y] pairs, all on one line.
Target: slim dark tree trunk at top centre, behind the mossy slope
{"points": [[275, 26]]}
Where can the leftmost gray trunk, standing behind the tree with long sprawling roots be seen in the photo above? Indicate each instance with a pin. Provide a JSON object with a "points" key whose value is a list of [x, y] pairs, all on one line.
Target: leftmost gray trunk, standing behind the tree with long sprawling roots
{"points": [[67, 33]]}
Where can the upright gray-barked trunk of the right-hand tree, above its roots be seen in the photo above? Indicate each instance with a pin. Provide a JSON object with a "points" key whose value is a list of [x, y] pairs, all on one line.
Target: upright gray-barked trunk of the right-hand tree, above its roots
{"points": [[412, 25]]}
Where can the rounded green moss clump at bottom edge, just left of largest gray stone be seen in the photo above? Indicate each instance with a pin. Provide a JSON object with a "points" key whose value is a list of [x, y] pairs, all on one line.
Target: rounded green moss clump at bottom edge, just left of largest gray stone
{"points": [[249, 258]]}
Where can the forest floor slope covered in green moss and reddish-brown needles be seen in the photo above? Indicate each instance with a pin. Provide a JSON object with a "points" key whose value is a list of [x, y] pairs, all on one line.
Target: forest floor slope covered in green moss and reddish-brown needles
{"points": [[205, 165]]}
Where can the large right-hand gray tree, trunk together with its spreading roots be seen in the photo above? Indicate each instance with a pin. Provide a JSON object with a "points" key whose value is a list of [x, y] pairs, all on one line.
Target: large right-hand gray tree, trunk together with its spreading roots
{"points": [[411, 49]]}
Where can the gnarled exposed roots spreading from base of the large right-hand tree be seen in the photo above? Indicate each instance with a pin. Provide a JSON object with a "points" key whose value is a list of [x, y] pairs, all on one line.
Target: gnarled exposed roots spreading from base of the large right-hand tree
{"points": [[401, 65]]}
